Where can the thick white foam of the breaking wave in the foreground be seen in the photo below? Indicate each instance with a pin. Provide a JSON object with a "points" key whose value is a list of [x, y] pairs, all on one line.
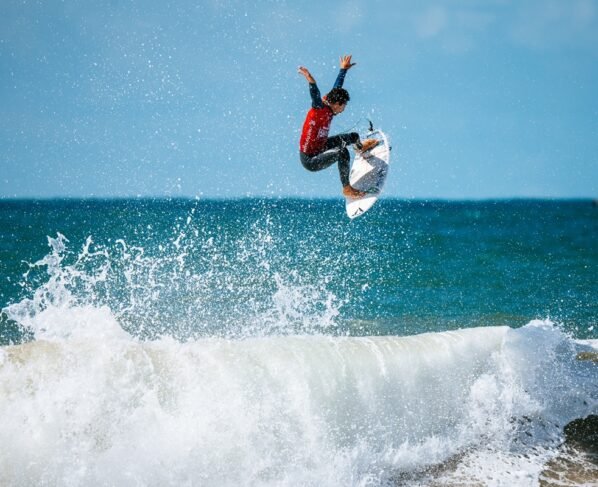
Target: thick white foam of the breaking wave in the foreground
{"points": [[95, 406]]}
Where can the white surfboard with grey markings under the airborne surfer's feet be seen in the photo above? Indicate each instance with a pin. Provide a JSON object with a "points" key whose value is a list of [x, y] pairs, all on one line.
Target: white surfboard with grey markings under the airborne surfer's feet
{"points": [[368, 174]]}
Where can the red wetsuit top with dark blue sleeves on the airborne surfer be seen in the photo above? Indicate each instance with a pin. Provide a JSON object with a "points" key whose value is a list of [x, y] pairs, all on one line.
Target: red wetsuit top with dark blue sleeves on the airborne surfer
{"points": [[317, 122]]}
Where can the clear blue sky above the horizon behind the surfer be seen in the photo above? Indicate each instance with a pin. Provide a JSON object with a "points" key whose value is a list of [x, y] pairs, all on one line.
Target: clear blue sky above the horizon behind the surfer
{"points": [[481, 99]]}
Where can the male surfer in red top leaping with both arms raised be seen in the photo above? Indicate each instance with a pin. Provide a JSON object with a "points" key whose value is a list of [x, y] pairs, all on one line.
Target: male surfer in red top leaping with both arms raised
{"points": [[317, 150]]}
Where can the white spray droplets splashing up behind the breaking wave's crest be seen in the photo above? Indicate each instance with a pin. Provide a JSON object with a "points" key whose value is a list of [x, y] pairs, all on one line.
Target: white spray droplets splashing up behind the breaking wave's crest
{"points": [[188, 286]]}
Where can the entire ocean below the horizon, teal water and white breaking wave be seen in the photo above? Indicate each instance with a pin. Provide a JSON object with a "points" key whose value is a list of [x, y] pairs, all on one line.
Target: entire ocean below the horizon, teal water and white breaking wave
{"points": [[276, 342]]}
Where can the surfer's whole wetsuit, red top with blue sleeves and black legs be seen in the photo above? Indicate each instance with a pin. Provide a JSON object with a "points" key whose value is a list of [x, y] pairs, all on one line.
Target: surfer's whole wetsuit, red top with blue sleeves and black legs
{"points": [[317, 151]]}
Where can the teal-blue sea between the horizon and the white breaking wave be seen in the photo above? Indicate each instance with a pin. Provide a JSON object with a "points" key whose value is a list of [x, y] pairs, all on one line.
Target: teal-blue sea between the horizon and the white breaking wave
{"points": [[193, 268]]}
